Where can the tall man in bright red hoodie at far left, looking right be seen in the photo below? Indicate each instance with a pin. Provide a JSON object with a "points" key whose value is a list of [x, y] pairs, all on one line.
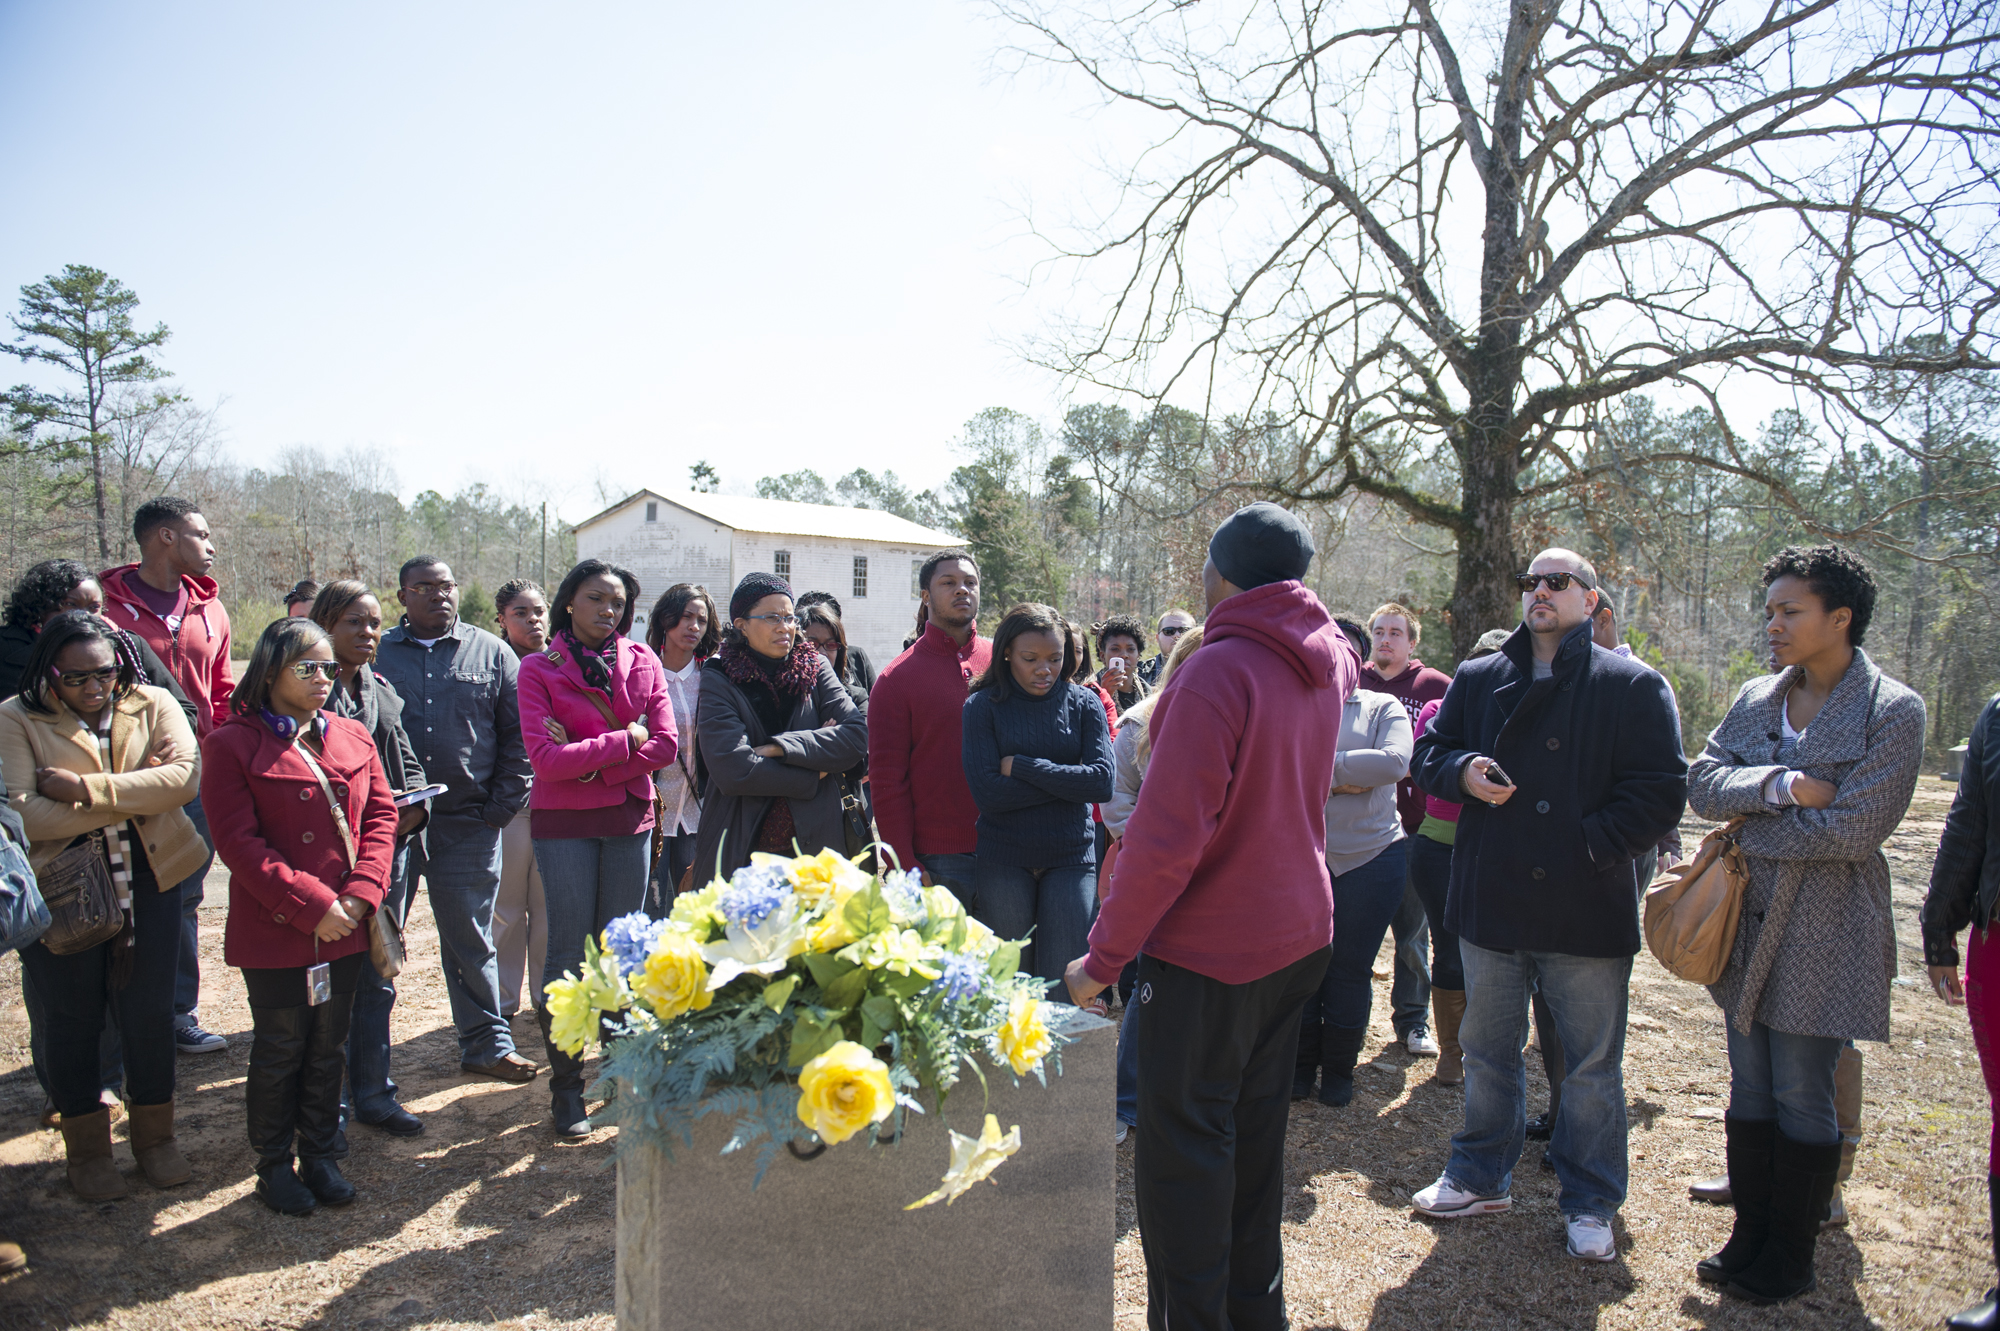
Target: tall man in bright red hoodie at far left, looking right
{"points": [[171, 603]]}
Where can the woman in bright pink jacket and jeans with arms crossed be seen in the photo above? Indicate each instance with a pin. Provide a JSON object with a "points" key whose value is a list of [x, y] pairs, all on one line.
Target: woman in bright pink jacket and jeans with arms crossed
{"points": [[599, 724]]}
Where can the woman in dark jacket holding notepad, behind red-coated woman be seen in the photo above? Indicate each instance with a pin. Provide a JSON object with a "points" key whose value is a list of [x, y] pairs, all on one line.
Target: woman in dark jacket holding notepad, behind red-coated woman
{"points": [[353, 621]]}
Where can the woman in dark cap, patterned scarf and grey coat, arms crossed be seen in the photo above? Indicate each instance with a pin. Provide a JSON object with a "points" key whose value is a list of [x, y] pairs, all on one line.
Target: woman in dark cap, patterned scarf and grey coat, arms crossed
{"points": [[777, 730]]}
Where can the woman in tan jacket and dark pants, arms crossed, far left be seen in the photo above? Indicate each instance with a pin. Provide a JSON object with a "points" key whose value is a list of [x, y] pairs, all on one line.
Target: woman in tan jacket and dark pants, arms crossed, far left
{"points": [[99, 758]]}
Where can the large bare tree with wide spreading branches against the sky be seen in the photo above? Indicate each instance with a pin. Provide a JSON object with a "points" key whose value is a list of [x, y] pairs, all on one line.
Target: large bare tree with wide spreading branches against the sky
{"points": [[1453, 239]]}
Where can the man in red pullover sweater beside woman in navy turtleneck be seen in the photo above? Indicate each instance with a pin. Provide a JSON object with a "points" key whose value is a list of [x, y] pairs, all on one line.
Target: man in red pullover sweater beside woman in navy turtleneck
{"points": [[923, 804]]}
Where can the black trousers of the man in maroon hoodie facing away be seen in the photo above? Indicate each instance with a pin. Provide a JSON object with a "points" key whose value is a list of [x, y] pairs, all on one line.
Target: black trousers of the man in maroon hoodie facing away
{"points": [[1215, 1092]]}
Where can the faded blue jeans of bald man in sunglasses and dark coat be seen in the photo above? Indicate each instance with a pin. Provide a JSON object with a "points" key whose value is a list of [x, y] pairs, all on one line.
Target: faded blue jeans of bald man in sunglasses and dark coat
{"points": [[1589, 998]]}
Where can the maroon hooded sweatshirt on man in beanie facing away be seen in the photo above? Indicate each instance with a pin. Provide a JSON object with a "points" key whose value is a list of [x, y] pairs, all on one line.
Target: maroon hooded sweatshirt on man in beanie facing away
{"points": [[1223, 866]]}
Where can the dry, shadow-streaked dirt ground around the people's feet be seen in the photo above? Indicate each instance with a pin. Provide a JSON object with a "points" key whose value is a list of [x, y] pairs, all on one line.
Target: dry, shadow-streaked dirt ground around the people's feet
{"points": [[489, 1222]]}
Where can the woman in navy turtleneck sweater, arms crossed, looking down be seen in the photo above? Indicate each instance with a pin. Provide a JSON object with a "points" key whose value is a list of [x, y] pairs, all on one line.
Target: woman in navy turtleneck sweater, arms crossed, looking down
{"points": [[1039, 754]]}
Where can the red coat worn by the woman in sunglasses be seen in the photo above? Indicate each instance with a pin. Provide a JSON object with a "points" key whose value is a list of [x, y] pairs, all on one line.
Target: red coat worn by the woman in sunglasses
{"points": [[277, 834]]}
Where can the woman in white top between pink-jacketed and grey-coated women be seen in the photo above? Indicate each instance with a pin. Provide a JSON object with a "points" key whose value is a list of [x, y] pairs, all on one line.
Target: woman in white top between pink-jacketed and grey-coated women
{"points": [[683, 633]]}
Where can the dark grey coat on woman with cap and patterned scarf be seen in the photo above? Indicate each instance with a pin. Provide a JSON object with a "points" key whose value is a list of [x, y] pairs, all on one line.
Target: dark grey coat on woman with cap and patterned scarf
{"points": [[827, 732]]}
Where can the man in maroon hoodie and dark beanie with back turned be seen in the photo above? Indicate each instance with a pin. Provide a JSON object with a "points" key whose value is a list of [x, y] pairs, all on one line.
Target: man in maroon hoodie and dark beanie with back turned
{"points": [[1221, 890]]}
